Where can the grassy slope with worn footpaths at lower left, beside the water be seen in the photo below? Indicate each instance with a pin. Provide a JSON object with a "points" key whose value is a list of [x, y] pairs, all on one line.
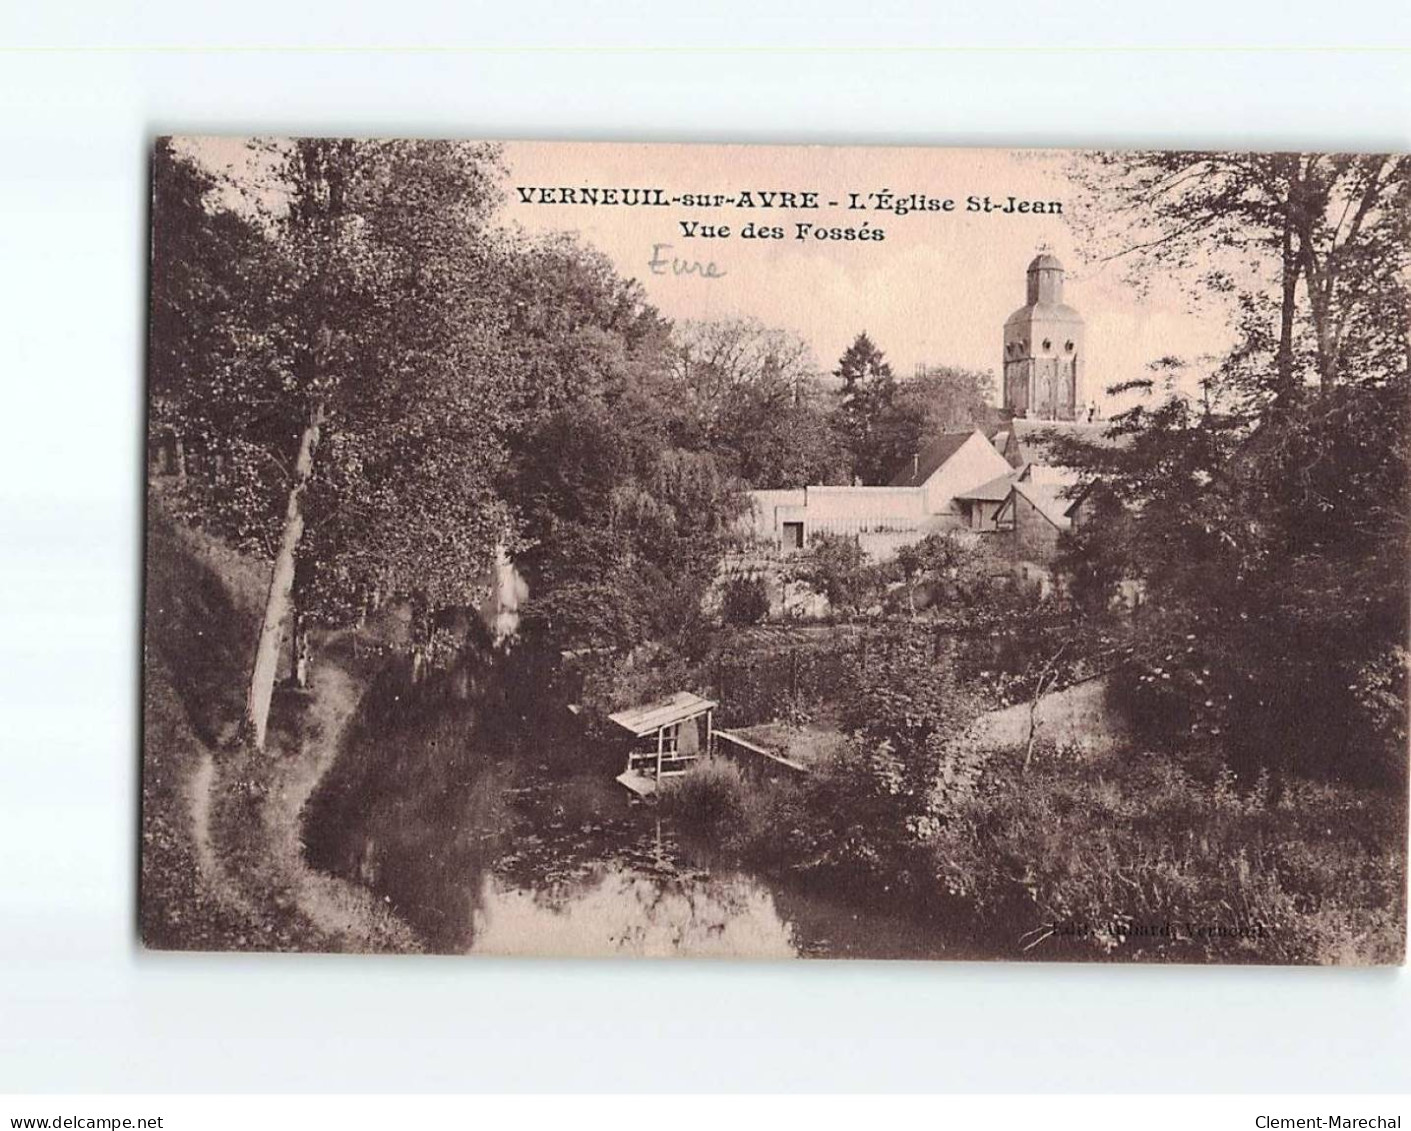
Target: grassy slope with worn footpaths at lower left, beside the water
{"points": [[222, 852]]}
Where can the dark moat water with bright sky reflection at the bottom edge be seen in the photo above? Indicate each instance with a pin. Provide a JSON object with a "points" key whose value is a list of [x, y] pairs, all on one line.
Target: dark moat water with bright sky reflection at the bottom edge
{"points": [[493, 829]]}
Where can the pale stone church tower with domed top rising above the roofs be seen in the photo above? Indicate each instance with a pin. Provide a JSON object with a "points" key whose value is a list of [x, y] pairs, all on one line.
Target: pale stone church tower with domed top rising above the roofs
{"points": [[1043, 350]]}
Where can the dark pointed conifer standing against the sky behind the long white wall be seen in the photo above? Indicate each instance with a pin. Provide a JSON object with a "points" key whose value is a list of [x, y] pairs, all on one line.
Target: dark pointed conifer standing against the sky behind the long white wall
{"points": [[880, 429]]}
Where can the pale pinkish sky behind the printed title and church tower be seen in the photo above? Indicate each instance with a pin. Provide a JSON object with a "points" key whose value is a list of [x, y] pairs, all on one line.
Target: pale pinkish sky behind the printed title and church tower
{"points": [[936, 290]]}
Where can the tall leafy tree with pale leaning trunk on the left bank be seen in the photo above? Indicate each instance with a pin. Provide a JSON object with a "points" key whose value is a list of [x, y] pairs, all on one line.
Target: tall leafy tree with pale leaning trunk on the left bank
{"points": [[390, 302]]}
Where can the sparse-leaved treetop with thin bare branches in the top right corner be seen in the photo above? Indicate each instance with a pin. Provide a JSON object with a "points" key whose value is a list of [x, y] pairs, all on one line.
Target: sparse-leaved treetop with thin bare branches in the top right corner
{"points": [[1328, 228]]}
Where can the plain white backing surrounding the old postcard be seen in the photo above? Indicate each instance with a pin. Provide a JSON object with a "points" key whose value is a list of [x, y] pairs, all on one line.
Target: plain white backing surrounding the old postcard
{"points": [[84, 90]]}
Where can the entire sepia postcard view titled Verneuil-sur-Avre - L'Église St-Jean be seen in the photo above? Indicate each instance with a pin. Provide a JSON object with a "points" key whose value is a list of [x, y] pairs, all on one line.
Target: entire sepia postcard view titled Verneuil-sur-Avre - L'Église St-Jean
{"points": [[767, 552]]}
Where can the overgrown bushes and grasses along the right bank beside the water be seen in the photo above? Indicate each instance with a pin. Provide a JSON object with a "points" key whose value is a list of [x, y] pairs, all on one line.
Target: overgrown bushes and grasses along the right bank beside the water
{"points": [[1141, 854]]}
